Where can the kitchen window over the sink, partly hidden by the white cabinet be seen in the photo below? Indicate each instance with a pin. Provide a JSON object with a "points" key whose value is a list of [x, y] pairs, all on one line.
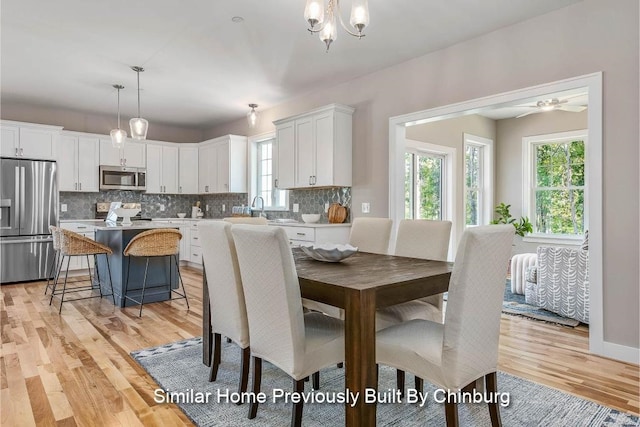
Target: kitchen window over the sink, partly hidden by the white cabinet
{"points": [[274, 199]]}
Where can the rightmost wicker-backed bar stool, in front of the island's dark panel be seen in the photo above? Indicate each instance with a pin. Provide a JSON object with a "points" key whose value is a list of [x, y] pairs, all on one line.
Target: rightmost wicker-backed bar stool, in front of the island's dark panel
{"points": [[162, 242]]}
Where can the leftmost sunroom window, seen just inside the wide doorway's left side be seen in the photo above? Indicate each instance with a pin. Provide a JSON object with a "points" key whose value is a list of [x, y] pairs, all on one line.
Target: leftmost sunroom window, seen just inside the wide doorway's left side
{"points": [[424, 172]]}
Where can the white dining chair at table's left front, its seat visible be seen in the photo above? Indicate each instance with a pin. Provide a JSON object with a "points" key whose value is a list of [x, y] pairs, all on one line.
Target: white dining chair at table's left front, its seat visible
{"points": [[299, 344]]}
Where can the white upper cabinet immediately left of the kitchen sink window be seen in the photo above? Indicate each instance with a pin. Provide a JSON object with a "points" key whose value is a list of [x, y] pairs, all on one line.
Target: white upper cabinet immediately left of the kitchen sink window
{"points": [[222, 165]]}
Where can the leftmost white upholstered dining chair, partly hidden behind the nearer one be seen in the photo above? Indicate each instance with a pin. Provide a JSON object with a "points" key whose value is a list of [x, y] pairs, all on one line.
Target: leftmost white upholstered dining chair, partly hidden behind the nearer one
{"points": [[226, 296]]}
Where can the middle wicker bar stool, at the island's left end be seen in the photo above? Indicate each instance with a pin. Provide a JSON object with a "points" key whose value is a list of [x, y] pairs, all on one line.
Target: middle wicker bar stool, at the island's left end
{"points": [[74, 244]]}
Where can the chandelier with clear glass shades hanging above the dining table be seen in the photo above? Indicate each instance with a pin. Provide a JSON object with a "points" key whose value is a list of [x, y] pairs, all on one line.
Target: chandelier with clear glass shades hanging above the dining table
{"points": [[326, 26]]}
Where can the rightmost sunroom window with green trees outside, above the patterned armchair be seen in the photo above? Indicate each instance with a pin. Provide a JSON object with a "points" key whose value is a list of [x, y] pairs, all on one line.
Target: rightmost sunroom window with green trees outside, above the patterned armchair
{"points": [[555, 183]]}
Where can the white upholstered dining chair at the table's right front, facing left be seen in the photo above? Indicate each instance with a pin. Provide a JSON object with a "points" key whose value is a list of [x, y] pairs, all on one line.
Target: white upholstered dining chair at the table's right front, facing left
{"points": [[464, 349]]}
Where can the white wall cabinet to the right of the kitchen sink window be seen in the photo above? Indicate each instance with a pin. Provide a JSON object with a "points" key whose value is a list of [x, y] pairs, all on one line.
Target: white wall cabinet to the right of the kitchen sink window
{"points": [[314, 148]]}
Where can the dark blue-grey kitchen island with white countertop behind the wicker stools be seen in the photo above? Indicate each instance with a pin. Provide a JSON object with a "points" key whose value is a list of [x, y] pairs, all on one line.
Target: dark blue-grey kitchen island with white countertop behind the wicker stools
{"points": [[162, 273]]}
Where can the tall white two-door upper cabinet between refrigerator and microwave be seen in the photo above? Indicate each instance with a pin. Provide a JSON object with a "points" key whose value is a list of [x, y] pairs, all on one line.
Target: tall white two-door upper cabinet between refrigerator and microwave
{"points": [[78, 162]]}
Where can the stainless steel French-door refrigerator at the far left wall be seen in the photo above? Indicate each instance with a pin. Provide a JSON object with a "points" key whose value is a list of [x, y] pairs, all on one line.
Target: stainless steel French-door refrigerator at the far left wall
{"points": [[28, 206]]}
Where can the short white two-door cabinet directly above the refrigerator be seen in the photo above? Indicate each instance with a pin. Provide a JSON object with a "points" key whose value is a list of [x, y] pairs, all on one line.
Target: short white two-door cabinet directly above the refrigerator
{"points": [[29, 141]]}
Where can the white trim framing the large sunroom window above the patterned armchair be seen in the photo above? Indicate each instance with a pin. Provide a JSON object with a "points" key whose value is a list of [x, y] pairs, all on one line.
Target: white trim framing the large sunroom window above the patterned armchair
{"points": [[528, 204]]}
